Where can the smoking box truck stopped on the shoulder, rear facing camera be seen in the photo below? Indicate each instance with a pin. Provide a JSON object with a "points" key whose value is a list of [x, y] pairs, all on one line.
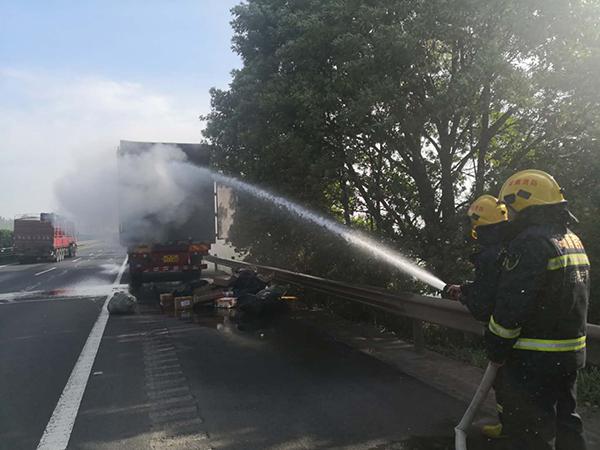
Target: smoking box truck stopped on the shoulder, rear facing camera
{"points": [[165, 242]]}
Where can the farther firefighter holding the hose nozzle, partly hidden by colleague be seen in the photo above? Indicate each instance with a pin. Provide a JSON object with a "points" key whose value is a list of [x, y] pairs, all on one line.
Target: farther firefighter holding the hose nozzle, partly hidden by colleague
{"points": [[491, 230]]}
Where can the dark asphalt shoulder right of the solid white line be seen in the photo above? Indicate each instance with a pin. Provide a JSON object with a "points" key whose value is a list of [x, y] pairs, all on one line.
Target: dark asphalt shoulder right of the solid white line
{"points": [[199, 382]]}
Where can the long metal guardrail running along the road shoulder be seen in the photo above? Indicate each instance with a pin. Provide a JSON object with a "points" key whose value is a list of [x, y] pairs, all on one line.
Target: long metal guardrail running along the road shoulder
{"points": [[419, 308]]}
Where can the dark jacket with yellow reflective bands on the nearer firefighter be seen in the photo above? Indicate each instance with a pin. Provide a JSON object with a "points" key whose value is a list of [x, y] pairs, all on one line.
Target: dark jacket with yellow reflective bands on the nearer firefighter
{"points": [[541, 306]]}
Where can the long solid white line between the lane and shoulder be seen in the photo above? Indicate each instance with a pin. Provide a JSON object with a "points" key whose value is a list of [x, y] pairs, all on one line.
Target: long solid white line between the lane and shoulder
{"points": [[58, 430]]}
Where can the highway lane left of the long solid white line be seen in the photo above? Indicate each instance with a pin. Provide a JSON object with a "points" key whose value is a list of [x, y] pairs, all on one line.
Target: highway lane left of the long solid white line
{"points": [[45, 320]]}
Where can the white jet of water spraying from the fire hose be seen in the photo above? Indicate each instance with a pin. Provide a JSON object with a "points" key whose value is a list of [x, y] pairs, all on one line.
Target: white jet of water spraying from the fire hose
{"points": [[351, 236]]}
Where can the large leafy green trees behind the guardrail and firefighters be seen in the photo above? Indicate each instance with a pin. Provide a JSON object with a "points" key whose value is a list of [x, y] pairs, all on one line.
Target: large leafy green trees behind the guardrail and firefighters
{"points": [[392, 115]]}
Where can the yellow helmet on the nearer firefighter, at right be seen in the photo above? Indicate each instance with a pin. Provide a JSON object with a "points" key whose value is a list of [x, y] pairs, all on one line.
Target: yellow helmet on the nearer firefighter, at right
{"points": [[530, 187]]}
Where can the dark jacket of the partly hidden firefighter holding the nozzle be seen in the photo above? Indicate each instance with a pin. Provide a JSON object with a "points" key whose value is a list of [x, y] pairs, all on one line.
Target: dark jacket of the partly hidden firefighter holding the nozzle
{"points": [[479, 295]]}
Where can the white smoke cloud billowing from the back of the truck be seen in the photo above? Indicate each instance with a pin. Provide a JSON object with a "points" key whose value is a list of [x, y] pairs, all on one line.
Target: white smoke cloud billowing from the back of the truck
{"points": [[146, 194]]}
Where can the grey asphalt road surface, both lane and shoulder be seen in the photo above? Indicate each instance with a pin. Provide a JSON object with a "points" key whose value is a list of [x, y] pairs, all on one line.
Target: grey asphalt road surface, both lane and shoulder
{"points": [[195, 382]]}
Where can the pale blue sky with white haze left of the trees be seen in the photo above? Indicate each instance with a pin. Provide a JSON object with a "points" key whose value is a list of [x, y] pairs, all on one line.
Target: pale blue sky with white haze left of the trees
{"points": [[77, 76]]}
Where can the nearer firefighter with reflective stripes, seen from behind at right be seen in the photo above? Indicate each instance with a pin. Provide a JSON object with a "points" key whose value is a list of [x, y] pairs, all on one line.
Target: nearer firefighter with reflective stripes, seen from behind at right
{"points": [[538, 328]]}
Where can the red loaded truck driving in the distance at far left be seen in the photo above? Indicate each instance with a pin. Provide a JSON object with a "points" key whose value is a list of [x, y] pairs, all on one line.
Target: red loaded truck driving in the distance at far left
{"points": [[47, 237]]}
